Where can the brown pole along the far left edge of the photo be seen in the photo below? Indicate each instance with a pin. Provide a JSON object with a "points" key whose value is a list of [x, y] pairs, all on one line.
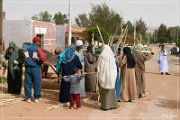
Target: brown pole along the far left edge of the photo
{"points": [[1, 26]]}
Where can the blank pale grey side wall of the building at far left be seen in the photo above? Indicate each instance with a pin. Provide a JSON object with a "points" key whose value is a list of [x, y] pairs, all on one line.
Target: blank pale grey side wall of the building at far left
{"points": [[18, 31]]}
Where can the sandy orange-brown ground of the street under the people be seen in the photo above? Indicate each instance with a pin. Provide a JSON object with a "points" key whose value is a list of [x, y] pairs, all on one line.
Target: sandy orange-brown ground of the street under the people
{"points": [[161, 101]]}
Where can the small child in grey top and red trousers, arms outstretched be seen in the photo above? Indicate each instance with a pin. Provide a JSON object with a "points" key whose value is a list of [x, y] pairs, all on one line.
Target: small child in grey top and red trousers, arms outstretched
{"points": [[75, 88]]}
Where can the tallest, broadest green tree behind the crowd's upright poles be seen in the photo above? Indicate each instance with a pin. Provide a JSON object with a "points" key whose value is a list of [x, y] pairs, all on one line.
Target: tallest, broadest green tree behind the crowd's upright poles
{"points": [[105, 17]]}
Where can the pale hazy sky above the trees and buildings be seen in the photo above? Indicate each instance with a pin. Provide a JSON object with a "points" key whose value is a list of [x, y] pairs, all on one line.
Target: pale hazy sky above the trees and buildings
{"points": [[153, 12]]}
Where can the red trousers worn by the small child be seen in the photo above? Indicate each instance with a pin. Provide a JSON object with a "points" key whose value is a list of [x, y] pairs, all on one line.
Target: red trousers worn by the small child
{"points": [[74, 97]]}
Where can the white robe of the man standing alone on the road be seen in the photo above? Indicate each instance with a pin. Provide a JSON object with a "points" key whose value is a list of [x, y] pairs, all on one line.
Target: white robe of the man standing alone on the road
{"points": [[162, 58]]}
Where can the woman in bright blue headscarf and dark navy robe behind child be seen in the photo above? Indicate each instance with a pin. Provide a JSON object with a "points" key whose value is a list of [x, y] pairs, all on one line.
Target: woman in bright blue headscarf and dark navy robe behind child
{"points": [[68, 62]]}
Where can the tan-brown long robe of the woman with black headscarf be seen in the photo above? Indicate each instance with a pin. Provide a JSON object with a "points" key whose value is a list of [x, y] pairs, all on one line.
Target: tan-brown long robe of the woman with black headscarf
{"points": [[128, 81]]}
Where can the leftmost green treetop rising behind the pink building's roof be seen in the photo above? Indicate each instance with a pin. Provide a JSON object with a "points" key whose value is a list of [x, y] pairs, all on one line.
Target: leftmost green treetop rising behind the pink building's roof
{"points": [[43, 16]]}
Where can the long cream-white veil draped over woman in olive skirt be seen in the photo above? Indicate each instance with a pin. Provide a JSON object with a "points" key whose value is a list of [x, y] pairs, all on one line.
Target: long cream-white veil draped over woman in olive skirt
{"points": [[106, 67]]}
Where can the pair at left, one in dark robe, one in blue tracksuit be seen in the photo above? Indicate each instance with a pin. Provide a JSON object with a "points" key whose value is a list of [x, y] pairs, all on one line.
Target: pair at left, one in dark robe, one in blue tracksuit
{"points": [[32, 58]]}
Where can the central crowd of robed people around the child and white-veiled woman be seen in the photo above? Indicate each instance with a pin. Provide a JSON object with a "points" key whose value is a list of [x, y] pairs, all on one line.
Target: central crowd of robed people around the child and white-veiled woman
{"points": [[117, 77]]}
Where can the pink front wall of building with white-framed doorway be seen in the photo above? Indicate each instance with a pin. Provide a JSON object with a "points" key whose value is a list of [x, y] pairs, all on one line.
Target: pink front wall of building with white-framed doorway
{"points": [[49, 34]]}
